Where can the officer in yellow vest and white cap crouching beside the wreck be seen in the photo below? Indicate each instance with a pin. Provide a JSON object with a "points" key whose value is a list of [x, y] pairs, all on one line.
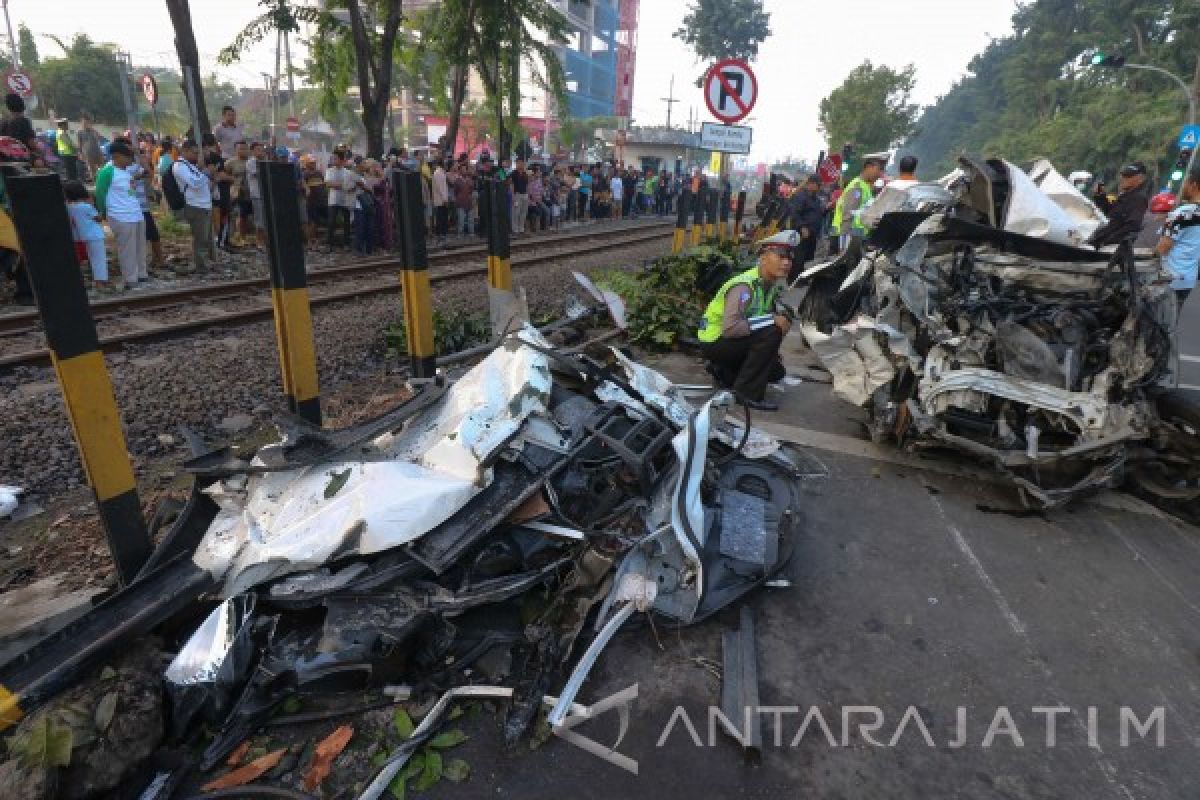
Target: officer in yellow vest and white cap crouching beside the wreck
{"points": [[742, 332]]}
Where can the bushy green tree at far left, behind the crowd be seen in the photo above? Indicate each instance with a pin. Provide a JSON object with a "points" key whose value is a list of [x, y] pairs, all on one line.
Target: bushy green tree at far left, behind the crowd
{"points": [[87, 80]]}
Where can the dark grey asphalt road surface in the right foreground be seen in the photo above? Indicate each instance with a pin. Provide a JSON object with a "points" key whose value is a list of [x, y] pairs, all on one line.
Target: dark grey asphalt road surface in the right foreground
{"points": [[915, 596]]}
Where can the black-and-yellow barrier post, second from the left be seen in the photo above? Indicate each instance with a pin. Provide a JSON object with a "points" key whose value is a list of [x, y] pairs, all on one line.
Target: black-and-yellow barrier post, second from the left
{"points": [[290, 291]]}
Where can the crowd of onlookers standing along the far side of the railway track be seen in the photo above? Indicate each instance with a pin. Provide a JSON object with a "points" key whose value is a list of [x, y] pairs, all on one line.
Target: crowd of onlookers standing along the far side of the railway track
{"points": [[345, 201]]}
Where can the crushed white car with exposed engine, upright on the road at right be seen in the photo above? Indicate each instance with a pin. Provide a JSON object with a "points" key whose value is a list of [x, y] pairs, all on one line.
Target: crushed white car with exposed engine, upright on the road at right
{"points": [[976, 320]]}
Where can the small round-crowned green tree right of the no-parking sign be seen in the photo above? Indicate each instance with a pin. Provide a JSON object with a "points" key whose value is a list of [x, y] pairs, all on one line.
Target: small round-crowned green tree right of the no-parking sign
{"points": [[871, 110]]}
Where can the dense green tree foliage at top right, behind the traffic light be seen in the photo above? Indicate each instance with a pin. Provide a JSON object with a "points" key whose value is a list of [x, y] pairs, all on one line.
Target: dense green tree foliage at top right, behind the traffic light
{"points": [[1028, 95]]}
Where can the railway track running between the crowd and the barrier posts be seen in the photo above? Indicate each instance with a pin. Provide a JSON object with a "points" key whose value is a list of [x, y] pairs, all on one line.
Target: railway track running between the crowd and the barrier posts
{"points": [[237, 303]]}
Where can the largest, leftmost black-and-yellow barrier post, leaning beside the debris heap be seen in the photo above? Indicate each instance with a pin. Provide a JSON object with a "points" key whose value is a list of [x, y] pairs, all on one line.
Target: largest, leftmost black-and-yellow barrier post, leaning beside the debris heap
{"points": [[45, 232]]}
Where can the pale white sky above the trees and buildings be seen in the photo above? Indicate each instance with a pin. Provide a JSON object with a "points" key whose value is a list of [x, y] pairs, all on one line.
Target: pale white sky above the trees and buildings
{"points": [[813, 46]]}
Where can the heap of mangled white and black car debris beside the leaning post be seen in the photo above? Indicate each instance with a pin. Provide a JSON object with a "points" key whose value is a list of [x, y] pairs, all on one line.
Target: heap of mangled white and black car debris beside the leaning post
{"points": [[458, 545]]}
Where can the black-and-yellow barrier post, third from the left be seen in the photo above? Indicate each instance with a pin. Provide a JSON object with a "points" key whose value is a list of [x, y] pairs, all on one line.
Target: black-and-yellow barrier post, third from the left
{"points": [[415, 274]]}
